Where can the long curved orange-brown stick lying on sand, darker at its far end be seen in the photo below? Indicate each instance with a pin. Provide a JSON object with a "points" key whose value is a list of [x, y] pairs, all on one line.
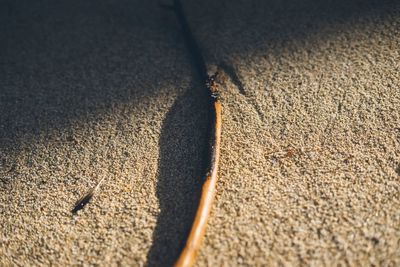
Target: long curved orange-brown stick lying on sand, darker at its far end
{"points": [[189, 252]]}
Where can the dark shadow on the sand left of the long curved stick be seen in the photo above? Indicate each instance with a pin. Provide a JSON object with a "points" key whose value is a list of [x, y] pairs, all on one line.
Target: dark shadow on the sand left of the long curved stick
{"points": [[181, 166]]}
